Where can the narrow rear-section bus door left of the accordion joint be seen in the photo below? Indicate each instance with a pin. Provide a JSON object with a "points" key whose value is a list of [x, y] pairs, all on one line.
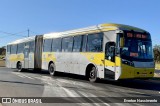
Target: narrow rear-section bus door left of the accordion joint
{"points": [[26, 55]]}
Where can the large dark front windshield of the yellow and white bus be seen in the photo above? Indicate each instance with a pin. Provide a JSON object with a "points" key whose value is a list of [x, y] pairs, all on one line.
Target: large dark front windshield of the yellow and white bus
{"points": [[137, 48]]}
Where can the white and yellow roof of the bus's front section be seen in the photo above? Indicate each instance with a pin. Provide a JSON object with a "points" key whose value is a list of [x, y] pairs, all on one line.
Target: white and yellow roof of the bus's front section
{"points": [[94, 29]]}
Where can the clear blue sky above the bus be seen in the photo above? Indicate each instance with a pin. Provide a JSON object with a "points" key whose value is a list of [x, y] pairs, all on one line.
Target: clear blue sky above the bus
{"points": [[45, 16]]}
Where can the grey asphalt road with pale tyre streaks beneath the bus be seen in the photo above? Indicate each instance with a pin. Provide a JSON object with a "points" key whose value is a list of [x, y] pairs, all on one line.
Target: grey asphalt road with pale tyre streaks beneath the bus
{"points": [[41, 84]]}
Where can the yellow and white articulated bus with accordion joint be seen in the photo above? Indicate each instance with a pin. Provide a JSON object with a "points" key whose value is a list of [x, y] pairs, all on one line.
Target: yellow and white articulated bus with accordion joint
{"points": [[105, 51]]}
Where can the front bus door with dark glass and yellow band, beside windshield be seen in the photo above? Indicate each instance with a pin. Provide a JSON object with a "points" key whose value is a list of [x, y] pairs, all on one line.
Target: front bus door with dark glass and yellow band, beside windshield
{"points": [[110, 60]]}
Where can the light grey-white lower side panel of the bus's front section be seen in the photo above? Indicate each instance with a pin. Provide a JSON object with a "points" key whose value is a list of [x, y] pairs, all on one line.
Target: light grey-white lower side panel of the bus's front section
{"points": [[75, 63]]}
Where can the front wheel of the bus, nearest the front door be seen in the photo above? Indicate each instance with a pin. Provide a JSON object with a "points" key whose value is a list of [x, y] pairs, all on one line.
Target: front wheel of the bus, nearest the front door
{"points": [[93, 75]]}
